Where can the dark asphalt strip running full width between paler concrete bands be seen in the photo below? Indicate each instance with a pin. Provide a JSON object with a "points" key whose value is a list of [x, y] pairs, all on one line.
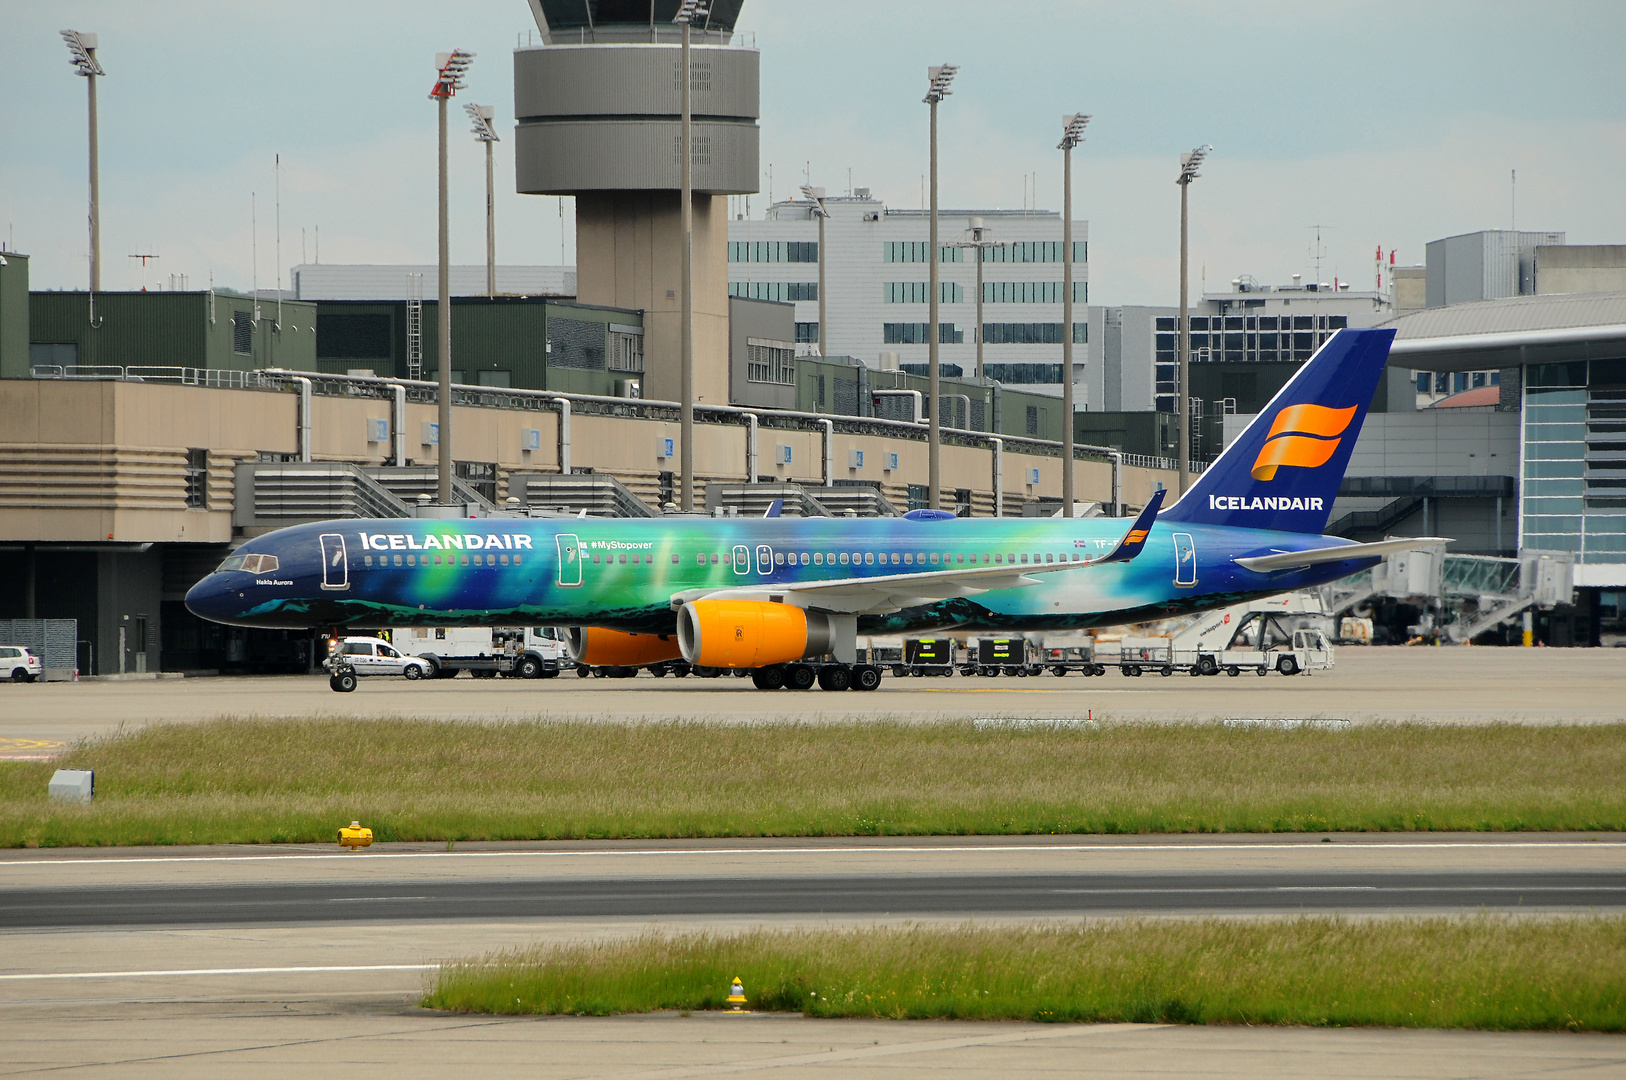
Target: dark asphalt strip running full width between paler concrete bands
{"points": [[848, 895]]}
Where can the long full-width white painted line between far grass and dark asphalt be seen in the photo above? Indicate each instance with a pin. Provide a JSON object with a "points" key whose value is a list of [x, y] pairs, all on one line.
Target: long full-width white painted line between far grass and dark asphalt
{"points": [[641, 853]]}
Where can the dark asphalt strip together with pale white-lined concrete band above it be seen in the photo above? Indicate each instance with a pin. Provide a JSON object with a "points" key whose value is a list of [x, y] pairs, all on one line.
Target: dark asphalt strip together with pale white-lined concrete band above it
{"points": [[780, 879]]}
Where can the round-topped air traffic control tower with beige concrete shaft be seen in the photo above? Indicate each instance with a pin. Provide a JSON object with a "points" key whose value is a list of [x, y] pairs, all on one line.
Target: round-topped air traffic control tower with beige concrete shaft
{"points": [[599, 116]]}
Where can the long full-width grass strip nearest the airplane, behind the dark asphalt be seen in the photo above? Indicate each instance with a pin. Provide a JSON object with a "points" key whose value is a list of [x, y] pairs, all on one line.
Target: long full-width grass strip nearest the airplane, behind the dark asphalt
{"points": [[297, 782]]}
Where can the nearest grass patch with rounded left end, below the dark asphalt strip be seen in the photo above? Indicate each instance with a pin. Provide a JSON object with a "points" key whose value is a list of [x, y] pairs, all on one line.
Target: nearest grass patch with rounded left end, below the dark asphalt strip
{"points": [[1489, 973]]}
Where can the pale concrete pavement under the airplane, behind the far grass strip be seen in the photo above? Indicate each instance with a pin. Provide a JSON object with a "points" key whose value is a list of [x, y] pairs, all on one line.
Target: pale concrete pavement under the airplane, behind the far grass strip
{"points": [[1388, 684]]}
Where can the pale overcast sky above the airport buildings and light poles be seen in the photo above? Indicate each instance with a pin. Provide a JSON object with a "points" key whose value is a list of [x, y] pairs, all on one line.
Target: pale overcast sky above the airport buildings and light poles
{"points": [[1386, 124]]}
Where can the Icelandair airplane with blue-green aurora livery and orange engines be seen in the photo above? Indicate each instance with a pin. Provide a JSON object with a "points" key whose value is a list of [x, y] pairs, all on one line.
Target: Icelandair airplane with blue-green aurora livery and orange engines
{"points": [[762, 593]]}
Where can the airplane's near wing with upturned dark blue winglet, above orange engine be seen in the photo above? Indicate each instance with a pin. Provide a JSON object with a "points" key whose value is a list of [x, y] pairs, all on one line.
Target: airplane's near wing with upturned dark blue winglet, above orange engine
{"points": [[892, 593]]}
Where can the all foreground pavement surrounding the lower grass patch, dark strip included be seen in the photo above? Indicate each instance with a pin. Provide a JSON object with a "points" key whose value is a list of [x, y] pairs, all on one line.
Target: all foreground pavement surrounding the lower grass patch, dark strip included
{"points": [[303, 962]]}
